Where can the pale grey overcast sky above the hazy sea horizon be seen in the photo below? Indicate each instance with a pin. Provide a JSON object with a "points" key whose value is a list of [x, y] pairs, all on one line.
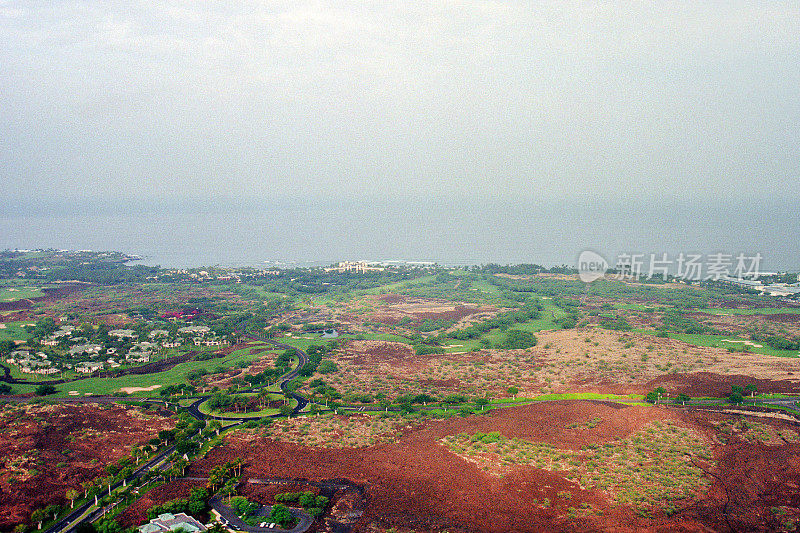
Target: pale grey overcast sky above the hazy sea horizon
{"points": [[360, 98]]}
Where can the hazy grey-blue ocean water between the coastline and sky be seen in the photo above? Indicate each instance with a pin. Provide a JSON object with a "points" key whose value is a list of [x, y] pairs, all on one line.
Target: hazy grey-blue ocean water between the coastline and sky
{"points": [[452, 231]]}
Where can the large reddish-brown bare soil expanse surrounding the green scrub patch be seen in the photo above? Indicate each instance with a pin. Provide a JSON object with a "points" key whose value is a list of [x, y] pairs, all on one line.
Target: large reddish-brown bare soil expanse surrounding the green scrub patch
{"points": [[415, 482]]}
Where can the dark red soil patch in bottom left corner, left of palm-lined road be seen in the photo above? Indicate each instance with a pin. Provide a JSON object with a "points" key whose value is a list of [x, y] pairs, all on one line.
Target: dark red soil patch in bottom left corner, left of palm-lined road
{"points": [[35, 470]]}
